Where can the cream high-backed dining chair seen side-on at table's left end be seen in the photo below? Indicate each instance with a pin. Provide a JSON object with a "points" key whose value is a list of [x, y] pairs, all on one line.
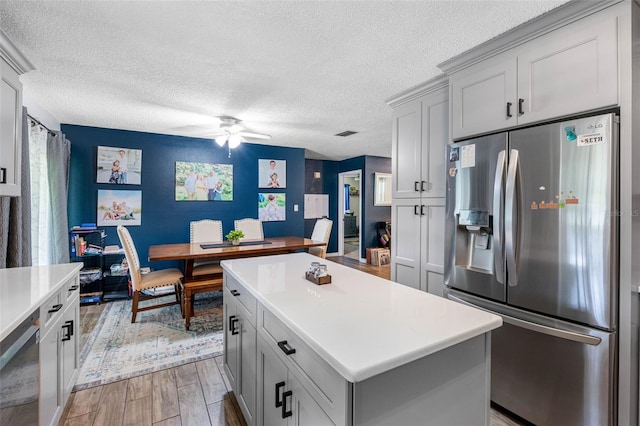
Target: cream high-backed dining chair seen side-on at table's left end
{"points": [[151, 280]]}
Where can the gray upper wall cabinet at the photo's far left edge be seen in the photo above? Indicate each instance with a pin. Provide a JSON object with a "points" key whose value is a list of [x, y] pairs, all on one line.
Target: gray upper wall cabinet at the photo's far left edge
{"points": [[12, 64]]}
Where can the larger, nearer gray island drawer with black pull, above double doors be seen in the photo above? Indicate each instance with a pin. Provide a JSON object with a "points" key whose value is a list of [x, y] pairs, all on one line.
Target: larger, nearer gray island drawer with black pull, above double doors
{"points": [[321, 380]]}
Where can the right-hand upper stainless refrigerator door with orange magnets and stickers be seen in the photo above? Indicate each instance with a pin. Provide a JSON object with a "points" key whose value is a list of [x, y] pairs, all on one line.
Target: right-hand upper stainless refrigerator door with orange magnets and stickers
{"points": [[560, 220]]}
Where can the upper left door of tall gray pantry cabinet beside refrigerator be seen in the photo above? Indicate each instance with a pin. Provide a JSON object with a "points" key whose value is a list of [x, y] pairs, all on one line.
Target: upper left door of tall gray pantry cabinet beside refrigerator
{"points": [[406, 141]]}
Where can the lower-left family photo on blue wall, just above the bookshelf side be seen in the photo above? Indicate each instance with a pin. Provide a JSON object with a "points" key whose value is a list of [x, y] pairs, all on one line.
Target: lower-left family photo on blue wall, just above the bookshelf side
{"points": [[119, 207]]}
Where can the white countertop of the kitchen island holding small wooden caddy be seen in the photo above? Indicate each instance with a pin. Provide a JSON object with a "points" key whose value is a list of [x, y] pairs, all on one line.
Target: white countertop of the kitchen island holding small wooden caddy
{"points": [[360, 324]]}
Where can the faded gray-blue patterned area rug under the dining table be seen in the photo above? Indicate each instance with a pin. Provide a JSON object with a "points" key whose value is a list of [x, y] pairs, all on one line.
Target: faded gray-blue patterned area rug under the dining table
{"points": [[118, 350]]}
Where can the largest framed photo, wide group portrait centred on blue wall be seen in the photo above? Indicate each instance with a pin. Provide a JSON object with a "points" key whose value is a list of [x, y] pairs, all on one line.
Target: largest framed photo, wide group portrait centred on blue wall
{"points": [[204, 182]]}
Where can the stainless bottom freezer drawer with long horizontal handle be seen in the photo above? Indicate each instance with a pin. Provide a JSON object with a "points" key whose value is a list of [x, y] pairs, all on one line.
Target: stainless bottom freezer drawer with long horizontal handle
{"points": [[548, 371]]}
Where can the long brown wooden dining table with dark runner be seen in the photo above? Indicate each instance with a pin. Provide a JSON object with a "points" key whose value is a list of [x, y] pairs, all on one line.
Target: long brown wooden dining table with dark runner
{"points": [[190, 252]]}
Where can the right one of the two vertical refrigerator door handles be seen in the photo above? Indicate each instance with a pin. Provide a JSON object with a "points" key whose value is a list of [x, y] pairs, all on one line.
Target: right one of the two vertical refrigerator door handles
{"points": [[510, 219]]}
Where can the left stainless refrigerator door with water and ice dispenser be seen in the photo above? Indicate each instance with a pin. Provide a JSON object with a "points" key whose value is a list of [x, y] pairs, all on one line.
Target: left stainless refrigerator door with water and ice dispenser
{"points": [[474, 249]]}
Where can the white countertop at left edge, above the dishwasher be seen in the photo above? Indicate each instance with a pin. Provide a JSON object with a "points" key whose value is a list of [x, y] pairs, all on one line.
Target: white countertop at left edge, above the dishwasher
{"points": [[23, 290]]}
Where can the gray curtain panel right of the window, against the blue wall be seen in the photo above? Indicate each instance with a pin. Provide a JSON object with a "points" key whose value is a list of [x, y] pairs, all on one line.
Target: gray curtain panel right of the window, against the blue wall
{"points": [[58, 154]]}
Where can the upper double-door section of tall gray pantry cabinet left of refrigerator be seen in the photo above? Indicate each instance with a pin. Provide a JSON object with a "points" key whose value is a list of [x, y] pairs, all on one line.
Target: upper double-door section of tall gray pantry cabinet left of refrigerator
{"points": [[419, 137]]}
